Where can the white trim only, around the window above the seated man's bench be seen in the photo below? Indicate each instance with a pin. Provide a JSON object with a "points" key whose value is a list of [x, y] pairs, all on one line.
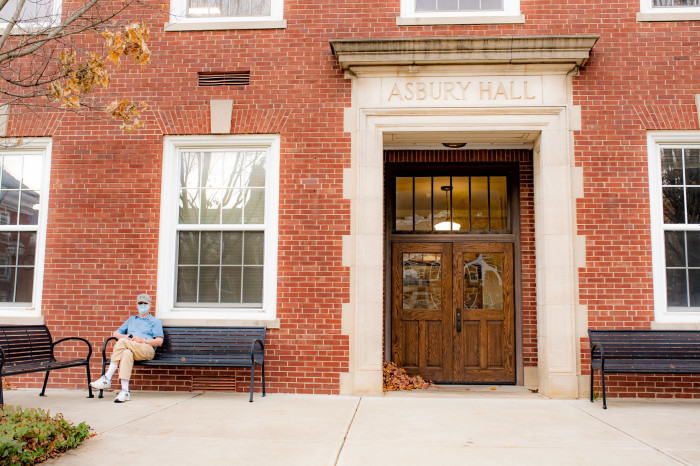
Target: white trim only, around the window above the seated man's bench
{"points": [[165, 304]]}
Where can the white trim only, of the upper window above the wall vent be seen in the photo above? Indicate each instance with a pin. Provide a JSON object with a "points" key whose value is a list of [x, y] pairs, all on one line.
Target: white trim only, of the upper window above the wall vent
{"points": [[179, 21]]}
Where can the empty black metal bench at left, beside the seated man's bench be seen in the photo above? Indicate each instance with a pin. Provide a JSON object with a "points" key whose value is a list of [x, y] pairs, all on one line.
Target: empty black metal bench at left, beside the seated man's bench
{"points": [[29, 348]]}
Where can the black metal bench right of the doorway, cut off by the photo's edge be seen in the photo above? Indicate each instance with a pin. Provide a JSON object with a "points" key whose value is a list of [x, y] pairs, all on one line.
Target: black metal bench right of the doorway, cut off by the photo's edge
{"points": [[643, 351]]}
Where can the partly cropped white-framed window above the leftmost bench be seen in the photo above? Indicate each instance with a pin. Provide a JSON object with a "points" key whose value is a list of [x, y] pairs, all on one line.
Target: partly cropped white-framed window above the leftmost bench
{"points": [[24, 182]]}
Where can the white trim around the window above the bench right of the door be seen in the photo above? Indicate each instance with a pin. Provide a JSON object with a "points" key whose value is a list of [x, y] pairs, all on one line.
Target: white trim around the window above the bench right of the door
{"points": [[657, 140]]}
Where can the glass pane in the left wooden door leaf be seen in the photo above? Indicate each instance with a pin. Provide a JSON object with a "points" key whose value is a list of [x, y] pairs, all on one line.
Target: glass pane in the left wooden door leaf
{"points": [[422, 285]]}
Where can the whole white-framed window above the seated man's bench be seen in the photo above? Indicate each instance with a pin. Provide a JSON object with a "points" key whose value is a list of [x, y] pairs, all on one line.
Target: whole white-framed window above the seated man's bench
{"points": [[218, 233]]}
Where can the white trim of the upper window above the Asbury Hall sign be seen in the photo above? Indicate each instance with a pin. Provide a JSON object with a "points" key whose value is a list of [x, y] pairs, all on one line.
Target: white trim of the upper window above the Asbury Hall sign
{"points": [[410, 17]]}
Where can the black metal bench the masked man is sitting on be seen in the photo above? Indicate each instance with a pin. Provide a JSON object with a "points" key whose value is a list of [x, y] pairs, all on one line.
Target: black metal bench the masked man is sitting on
{"points": [[208, 347]]}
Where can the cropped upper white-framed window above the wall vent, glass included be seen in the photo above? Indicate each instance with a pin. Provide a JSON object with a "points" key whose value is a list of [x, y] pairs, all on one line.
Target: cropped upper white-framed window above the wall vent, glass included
{"points": [[225, 14]]}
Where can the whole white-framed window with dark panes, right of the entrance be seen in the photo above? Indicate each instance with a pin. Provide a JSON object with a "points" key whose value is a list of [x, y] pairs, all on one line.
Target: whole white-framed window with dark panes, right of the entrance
{"points": [[674, 186]]}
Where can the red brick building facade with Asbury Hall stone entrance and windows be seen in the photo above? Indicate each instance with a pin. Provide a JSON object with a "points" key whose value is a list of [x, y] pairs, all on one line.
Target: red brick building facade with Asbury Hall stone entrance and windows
{"points": [[293, 198]]}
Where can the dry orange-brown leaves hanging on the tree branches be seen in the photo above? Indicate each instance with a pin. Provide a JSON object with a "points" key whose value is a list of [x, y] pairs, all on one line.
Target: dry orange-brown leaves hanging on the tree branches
{"points": [[82, 78]]}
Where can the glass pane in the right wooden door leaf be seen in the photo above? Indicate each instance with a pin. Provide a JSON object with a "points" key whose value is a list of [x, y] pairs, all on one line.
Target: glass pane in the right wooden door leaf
{"points": [[483, 280]]}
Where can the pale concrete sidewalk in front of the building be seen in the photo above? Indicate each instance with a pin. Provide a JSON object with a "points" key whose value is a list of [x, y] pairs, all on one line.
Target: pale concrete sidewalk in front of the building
{"points": [[458, 426]]}
